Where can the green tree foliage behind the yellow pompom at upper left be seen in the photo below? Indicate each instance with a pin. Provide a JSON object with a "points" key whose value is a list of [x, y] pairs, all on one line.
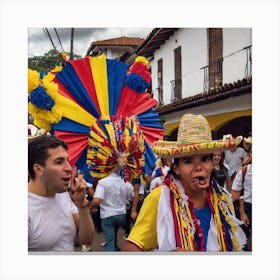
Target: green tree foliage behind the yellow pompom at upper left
{"points": [[48, 61]]}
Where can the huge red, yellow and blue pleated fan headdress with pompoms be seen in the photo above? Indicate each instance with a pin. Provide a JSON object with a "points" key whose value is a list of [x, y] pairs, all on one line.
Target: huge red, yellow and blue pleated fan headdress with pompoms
{"points": [[101, 109]]}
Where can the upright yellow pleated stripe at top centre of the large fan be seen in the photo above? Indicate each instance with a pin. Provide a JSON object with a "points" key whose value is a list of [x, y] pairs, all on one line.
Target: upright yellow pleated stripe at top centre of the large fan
{"points": [[99, 72]]}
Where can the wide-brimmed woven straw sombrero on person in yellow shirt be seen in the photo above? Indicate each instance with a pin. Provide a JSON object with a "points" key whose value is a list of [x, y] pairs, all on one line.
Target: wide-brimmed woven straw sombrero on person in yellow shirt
{"points": [[194, 137]]}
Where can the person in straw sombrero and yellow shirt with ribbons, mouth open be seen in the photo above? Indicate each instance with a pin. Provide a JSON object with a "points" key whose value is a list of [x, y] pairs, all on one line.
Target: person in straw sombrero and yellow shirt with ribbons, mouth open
{"points": [[190, 211]]}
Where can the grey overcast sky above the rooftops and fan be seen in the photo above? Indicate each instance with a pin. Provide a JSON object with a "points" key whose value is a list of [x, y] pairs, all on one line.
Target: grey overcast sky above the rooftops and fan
{"points": [[39, 42]]}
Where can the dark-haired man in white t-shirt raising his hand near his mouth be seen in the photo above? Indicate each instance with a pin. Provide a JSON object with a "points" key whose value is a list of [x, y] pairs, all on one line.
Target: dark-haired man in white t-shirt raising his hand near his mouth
{"points": [[55, 219]]}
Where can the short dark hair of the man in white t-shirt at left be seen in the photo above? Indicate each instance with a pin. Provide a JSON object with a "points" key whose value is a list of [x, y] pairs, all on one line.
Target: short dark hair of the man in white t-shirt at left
{"points": [[38, 150]]}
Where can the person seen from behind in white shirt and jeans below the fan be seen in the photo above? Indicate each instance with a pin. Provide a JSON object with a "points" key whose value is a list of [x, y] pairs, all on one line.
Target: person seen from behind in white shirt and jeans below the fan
{"points": [[111, 194]]}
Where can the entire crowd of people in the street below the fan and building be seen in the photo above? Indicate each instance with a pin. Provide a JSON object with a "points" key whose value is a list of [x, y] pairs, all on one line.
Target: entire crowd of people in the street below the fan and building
{"points": [[198, 197]]}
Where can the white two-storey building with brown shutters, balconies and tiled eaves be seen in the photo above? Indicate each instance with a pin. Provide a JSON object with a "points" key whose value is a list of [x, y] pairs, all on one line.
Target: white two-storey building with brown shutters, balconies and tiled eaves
{"points": [[202, 71]]}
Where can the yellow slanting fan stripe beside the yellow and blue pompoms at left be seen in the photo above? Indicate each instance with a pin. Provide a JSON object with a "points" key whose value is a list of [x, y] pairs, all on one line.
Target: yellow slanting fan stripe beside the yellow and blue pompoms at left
{"points": [[73, 111]]}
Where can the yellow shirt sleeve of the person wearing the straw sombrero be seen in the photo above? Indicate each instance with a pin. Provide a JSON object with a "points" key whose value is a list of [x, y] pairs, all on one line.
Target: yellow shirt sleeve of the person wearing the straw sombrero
{"points": [[144, 232]]}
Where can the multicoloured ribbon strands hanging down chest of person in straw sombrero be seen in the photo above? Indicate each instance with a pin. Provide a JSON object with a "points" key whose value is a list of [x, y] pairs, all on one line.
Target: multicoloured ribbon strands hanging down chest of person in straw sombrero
{"points": [[187, 225]]}
